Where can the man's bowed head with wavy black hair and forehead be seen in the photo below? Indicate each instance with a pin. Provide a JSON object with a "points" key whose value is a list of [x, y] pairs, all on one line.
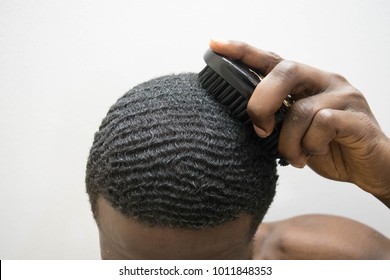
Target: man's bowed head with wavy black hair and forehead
{"points": [[172, 175]]}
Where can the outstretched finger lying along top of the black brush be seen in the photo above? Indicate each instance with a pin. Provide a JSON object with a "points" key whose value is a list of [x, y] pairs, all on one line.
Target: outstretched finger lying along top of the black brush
{"points": [[261, 60]]}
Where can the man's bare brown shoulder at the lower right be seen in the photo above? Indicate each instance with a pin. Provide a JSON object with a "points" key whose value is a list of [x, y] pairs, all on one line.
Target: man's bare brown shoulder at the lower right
{"points": [[319, 237]]}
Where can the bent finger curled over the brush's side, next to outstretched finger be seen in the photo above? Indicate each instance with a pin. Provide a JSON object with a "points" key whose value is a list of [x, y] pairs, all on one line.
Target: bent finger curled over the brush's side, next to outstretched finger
{"points": [[287, 78]]}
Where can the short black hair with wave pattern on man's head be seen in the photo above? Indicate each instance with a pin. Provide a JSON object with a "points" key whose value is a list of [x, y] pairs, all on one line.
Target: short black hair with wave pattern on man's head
{"points": [[167, 154]]}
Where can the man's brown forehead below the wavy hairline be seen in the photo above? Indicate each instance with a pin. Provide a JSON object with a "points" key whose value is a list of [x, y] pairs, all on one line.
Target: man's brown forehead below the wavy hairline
{"points": [[123, 238]]}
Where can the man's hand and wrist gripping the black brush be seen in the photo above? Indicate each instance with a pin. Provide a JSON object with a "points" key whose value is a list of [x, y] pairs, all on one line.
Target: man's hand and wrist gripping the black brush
{"points": [[330, 126]]}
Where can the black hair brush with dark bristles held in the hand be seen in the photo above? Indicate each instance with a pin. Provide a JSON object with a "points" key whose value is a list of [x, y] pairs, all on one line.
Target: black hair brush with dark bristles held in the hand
{"points": [[232, 83]]}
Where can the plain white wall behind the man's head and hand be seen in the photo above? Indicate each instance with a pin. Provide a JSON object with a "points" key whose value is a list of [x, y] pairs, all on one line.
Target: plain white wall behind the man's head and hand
{"points": [[64, 63]]}
